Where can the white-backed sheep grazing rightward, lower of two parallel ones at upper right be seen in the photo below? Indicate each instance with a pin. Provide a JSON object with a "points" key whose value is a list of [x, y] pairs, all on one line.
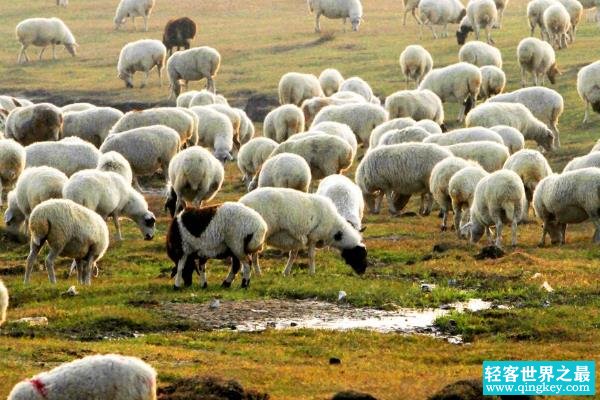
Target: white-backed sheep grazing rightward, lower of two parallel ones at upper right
{"points": [[515, 115]]}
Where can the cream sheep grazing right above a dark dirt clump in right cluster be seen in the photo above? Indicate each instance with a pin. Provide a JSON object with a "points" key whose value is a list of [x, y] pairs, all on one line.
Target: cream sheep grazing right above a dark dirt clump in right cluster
{"points": [[499, 199]]}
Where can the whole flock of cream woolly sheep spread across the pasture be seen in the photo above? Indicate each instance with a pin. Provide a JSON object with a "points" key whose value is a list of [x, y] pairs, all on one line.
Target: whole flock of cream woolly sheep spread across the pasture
{"points": [[73, 167]]}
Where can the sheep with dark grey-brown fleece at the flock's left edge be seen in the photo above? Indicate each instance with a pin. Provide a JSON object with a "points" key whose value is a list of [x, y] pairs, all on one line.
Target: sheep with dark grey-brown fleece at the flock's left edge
{"points": [[34, 123]]}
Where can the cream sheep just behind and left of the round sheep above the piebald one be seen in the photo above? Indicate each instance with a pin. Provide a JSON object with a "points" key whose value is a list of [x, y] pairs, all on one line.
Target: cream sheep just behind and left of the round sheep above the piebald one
{"points": [[147, 149]]}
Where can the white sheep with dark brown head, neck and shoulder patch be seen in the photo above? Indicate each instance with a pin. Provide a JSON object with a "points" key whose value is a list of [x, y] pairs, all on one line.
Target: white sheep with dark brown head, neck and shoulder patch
{"points": [[225, 230]]}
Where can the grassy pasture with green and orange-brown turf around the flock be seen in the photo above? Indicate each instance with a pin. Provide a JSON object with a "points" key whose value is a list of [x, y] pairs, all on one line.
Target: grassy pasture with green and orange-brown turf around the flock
{"points": [[259, 40]]}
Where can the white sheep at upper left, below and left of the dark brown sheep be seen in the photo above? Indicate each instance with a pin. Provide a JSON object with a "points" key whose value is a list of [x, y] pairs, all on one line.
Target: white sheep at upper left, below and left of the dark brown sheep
{"points": [[141, 55]]}
